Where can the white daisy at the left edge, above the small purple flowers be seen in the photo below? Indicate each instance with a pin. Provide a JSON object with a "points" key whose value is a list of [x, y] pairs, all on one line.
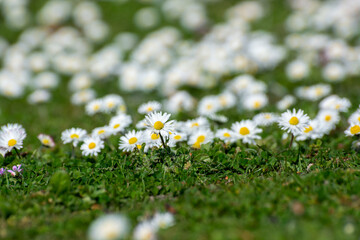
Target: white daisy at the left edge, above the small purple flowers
{"points": [[12, 138]]}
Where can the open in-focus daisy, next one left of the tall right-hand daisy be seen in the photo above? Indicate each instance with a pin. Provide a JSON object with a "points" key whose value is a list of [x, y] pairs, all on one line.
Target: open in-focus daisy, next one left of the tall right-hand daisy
{"points": [[246, 130]]}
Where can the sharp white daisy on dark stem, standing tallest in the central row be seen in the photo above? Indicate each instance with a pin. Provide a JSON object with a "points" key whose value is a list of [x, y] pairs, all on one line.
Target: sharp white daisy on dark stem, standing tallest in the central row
{"points": [[158, 123]]}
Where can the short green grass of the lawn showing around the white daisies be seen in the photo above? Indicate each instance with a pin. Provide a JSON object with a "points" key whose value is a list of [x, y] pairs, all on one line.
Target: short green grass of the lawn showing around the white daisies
{"points": [[218, 192]]}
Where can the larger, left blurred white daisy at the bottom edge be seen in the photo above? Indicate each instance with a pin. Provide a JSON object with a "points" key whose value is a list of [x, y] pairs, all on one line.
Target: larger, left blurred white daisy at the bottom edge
{"points": [[109, 227]]}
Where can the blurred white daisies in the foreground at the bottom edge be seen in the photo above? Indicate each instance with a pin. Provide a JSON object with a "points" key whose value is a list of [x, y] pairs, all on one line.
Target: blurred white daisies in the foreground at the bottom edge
{"points": [[117, 226]]}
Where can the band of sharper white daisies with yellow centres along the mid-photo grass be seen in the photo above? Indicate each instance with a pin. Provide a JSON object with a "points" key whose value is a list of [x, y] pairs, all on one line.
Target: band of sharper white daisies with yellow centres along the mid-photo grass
{"points": [[156, 130]]}
